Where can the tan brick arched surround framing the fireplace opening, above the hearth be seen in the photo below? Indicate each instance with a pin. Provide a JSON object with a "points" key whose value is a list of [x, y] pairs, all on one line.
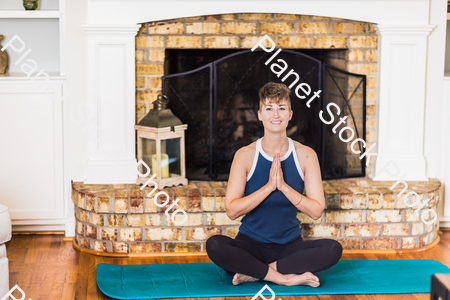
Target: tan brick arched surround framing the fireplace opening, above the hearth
{"points": [[354, 47]]}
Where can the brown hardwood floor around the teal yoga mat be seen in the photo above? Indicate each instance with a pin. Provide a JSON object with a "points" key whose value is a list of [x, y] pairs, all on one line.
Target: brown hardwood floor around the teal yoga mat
{"points": [[45, 267]]}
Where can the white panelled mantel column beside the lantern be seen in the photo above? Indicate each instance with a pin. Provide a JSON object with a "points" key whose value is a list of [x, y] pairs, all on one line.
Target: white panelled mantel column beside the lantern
{"points": [[111, 103]]}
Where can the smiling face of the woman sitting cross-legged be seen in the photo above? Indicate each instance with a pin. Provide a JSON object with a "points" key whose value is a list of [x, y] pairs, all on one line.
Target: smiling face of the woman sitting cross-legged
{"points": [[275, 117]]}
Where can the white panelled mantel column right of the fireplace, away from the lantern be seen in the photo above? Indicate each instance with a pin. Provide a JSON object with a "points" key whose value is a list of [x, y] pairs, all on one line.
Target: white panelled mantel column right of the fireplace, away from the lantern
{"points": [[402, 57]]}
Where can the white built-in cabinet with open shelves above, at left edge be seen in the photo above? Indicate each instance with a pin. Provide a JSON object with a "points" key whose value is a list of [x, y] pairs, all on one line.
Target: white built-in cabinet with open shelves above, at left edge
{"points": [[31, 115]]}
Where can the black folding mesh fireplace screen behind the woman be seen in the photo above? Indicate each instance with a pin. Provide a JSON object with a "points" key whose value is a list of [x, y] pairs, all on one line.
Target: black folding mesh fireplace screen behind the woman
{"points": [[219, 101]]}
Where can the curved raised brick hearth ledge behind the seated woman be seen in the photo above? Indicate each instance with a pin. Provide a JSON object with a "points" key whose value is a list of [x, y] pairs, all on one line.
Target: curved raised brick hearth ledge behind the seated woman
{"points": [[360, 213]]}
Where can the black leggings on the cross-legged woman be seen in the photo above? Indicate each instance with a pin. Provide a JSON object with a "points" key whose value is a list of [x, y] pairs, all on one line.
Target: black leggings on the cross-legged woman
{"points": [[247, 256]]}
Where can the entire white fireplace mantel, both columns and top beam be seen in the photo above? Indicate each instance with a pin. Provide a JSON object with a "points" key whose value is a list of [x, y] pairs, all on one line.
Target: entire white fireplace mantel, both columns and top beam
{"points": [[402, 57]]}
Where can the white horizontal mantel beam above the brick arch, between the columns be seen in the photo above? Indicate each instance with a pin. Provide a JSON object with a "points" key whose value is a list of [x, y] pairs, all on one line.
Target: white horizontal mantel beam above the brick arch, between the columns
{"points": [[376, 11]]}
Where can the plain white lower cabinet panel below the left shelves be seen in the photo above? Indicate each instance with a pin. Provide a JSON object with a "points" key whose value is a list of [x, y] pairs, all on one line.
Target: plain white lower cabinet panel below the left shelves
{"points": [[31, 151]]}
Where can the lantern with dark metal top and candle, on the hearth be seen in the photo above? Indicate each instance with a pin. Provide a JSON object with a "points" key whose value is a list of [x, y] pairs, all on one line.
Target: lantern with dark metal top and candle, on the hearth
{"points": [[161, 145]]}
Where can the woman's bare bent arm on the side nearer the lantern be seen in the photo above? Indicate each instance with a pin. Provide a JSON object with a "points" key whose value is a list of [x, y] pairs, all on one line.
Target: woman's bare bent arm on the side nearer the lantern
{"points": [[236, 204]]}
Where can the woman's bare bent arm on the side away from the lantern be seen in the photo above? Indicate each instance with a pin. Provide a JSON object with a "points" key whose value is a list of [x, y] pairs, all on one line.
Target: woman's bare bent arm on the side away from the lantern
{"points": [[314, 202]]}
